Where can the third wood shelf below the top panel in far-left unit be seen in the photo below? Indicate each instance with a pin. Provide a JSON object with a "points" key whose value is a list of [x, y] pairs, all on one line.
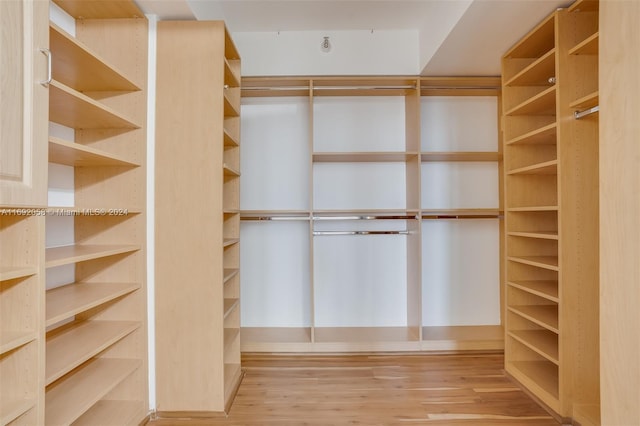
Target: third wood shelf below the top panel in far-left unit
{"points": [[76, 155]]}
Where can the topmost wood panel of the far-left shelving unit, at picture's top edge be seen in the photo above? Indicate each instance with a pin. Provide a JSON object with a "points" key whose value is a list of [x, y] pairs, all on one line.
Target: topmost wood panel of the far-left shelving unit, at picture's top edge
{"points": [[106, 9]]}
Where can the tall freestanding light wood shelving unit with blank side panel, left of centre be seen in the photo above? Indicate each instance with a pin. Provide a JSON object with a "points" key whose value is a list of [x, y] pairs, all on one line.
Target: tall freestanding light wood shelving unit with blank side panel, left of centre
{"points": [[203, 380]]}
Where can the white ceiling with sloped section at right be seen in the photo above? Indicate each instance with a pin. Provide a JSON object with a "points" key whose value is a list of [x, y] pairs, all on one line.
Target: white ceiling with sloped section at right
{"points": [[457, 37]]}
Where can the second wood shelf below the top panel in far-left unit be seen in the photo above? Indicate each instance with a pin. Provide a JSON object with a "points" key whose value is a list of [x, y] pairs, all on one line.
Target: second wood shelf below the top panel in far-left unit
{"points": [[74, 109]]}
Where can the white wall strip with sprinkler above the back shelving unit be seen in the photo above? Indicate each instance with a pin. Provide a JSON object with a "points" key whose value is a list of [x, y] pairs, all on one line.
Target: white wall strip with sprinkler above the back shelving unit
{"points": [[364, 52]]}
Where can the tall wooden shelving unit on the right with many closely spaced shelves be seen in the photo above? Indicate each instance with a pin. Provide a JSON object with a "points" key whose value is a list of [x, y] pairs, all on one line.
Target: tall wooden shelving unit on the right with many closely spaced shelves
{"points": [[552, 209]]}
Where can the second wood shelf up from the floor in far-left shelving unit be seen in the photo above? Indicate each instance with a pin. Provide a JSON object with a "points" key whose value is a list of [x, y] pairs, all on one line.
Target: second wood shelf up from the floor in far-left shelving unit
{"points": [[75, 394]]}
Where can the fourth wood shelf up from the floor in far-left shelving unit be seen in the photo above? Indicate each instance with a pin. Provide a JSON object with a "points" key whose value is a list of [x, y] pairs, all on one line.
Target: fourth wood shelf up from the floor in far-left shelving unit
{"points": [[69, 300]]}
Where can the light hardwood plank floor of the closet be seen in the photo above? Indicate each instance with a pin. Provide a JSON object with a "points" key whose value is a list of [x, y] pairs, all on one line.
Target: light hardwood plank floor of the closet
{"points": [[377, 390]]}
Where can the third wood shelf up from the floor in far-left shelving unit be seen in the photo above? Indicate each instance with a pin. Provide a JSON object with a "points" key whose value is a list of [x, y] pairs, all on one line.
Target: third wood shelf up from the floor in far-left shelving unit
{"points": [[71, 346]]}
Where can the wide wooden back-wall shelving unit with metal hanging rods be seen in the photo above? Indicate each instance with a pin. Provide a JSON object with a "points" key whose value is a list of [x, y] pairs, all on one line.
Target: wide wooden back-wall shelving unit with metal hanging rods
{"points": [[404, 95]]}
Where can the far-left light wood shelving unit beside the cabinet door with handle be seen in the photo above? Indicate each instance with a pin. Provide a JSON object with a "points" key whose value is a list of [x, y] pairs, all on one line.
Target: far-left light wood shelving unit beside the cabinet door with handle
{"points": [[96, 350]]}
